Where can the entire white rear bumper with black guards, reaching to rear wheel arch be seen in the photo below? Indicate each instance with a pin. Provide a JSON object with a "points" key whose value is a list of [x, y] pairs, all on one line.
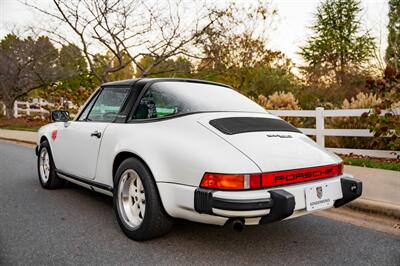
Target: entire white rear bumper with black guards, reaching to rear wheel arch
{"points": [[254, 206]]}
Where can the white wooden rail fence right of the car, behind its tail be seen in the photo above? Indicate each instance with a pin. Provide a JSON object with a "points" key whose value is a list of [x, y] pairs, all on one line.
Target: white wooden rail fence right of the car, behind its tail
{"points": [[320, 131]]}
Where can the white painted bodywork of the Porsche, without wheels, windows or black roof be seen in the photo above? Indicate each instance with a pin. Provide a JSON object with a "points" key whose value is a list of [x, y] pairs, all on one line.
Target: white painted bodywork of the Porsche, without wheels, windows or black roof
{"points": [[180, 150]]}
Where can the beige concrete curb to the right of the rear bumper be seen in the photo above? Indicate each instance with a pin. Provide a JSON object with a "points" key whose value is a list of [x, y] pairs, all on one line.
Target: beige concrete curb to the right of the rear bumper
{"points": [[375, 207]]}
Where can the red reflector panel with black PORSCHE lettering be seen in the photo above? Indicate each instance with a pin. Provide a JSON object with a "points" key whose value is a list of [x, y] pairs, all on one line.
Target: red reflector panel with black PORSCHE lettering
{"points": [[274, 179]]}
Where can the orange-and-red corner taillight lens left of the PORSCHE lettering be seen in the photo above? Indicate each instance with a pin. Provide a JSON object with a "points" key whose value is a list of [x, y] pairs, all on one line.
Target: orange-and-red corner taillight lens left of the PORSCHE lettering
{"points": [[230, 182]]}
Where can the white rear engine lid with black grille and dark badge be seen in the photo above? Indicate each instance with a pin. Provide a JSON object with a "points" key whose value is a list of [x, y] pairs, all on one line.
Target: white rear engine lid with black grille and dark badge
{"points": [[270, 142]]}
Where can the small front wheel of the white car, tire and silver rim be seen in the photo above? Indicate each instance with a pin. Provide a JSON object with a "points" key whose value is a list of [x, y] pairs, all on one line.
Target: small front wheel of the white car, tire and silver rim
{"points": [[46, 168]]}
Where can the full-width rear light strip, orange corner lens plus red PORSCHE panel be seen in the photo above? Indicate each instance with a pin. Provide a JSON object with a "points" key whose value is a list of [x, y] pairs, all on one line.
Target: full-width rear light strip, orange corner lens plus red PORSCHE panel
{"points": [[271, 179]]}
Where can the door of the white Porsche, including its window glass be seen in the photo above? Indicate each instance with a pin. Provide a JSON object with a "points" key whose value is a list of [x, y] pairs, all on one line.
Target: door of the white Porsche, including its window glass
{"points": [[77, 144]]}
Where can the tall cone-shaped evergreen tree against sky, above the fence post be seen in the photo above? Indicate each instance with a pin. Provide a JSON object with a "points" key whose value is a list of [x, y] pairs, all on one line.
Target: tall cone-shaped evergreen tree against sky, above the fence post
{"points": [[337, 47]]}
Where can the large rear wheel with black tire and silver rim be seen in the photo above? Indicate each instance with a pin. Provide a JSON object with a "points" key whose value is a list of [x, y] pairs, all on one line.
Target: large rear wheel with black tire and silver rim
{"points": [[137, 203]]}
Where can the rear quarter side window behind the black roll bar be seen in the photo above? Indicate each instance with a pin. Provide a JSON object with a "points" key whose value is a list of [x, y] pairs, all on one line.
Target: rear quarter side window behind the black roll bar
{"points": [[156, 103]]}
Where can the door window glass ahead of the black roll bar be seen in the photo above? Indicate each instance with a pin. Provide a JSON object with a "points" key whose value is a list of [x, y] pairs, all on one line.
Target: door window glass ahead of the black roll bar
{"points": [[108, 104]]}
